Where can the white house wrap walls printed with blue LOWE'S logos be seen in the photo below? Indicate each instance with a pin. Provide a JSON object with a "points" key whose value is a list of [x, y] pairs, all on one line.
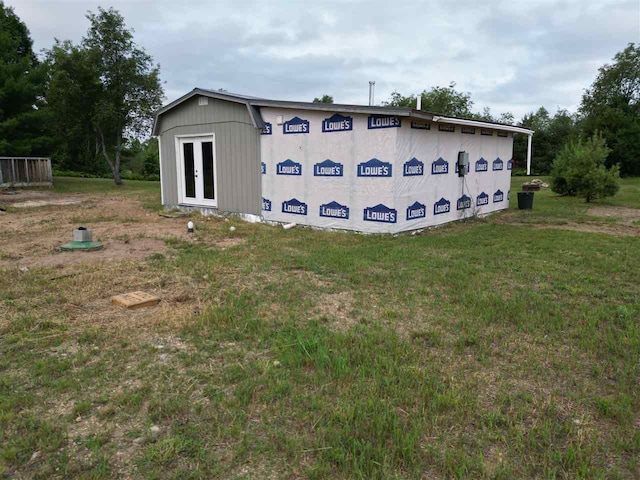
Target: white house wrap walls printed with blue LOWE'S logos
{"points": [[391, 194]]}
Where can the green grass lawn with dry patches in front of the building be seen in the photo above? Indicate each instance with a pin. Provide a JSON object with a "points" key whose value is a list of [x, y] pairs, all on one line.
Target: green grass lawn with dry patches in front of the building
{"points": [[504, 347]]}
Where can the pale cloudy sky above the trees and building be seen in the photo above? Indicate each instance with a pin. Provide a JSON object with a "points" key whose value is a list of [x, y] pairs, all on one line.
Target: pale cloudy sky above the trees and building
{"points": [[510, 55]]}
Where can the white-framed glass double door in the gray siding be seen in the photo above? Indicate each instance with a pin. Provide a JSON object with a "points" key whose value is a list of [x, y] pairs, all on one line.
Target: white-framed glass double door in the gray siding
{"points": [[197, 174]]}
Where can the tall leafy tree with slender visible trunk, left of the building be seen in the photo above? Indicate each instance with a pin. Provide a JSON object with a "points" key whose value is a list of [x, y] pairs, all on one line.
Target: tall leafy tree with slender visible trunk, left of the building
{"points": [[107, 84]]}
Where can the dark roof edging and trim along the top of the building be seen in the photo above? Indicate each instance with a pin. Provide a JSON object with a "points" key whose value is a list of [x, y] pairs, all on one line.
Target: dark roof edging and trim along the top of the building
{"points": [[253, 102]]}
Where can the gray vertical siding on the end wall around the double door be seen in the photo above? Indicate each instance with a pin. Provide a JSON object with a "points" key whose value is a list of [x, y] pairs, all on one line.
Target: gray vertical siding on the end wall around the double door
{"points": [[237, 144]]}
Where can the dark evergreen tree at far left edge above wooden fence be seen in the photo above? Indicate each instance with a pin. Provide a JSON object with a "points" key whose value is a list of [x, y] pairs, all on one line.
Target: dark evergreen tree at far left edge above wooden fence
{"points": [[22, 84]]}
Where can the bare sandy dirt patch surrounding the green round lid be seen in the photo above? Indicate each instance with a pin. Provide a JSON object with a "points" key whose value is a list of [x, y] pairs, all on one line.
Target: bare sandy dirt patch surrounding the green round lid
{"points": [[32, 236]]}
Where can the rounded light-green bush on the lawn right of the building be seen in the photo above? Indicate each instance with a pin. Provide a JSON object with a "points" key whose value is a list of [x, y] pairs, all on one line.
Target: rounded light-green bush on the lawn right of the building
{"points": [[579, 170]]}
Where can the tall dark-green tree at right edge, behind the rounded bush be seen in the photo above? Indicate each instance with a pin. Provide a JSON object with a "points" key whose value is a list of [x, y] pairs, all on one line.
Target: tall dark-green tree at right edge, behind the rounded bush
{"points": [[612, 105]]}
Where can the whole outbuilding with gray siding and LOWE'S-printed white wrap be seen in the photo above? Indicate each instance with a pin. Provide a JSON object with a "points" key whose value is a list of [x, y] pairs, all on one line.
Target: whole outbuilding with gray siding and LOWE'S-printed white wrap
{"points": [[363, 168]]}
